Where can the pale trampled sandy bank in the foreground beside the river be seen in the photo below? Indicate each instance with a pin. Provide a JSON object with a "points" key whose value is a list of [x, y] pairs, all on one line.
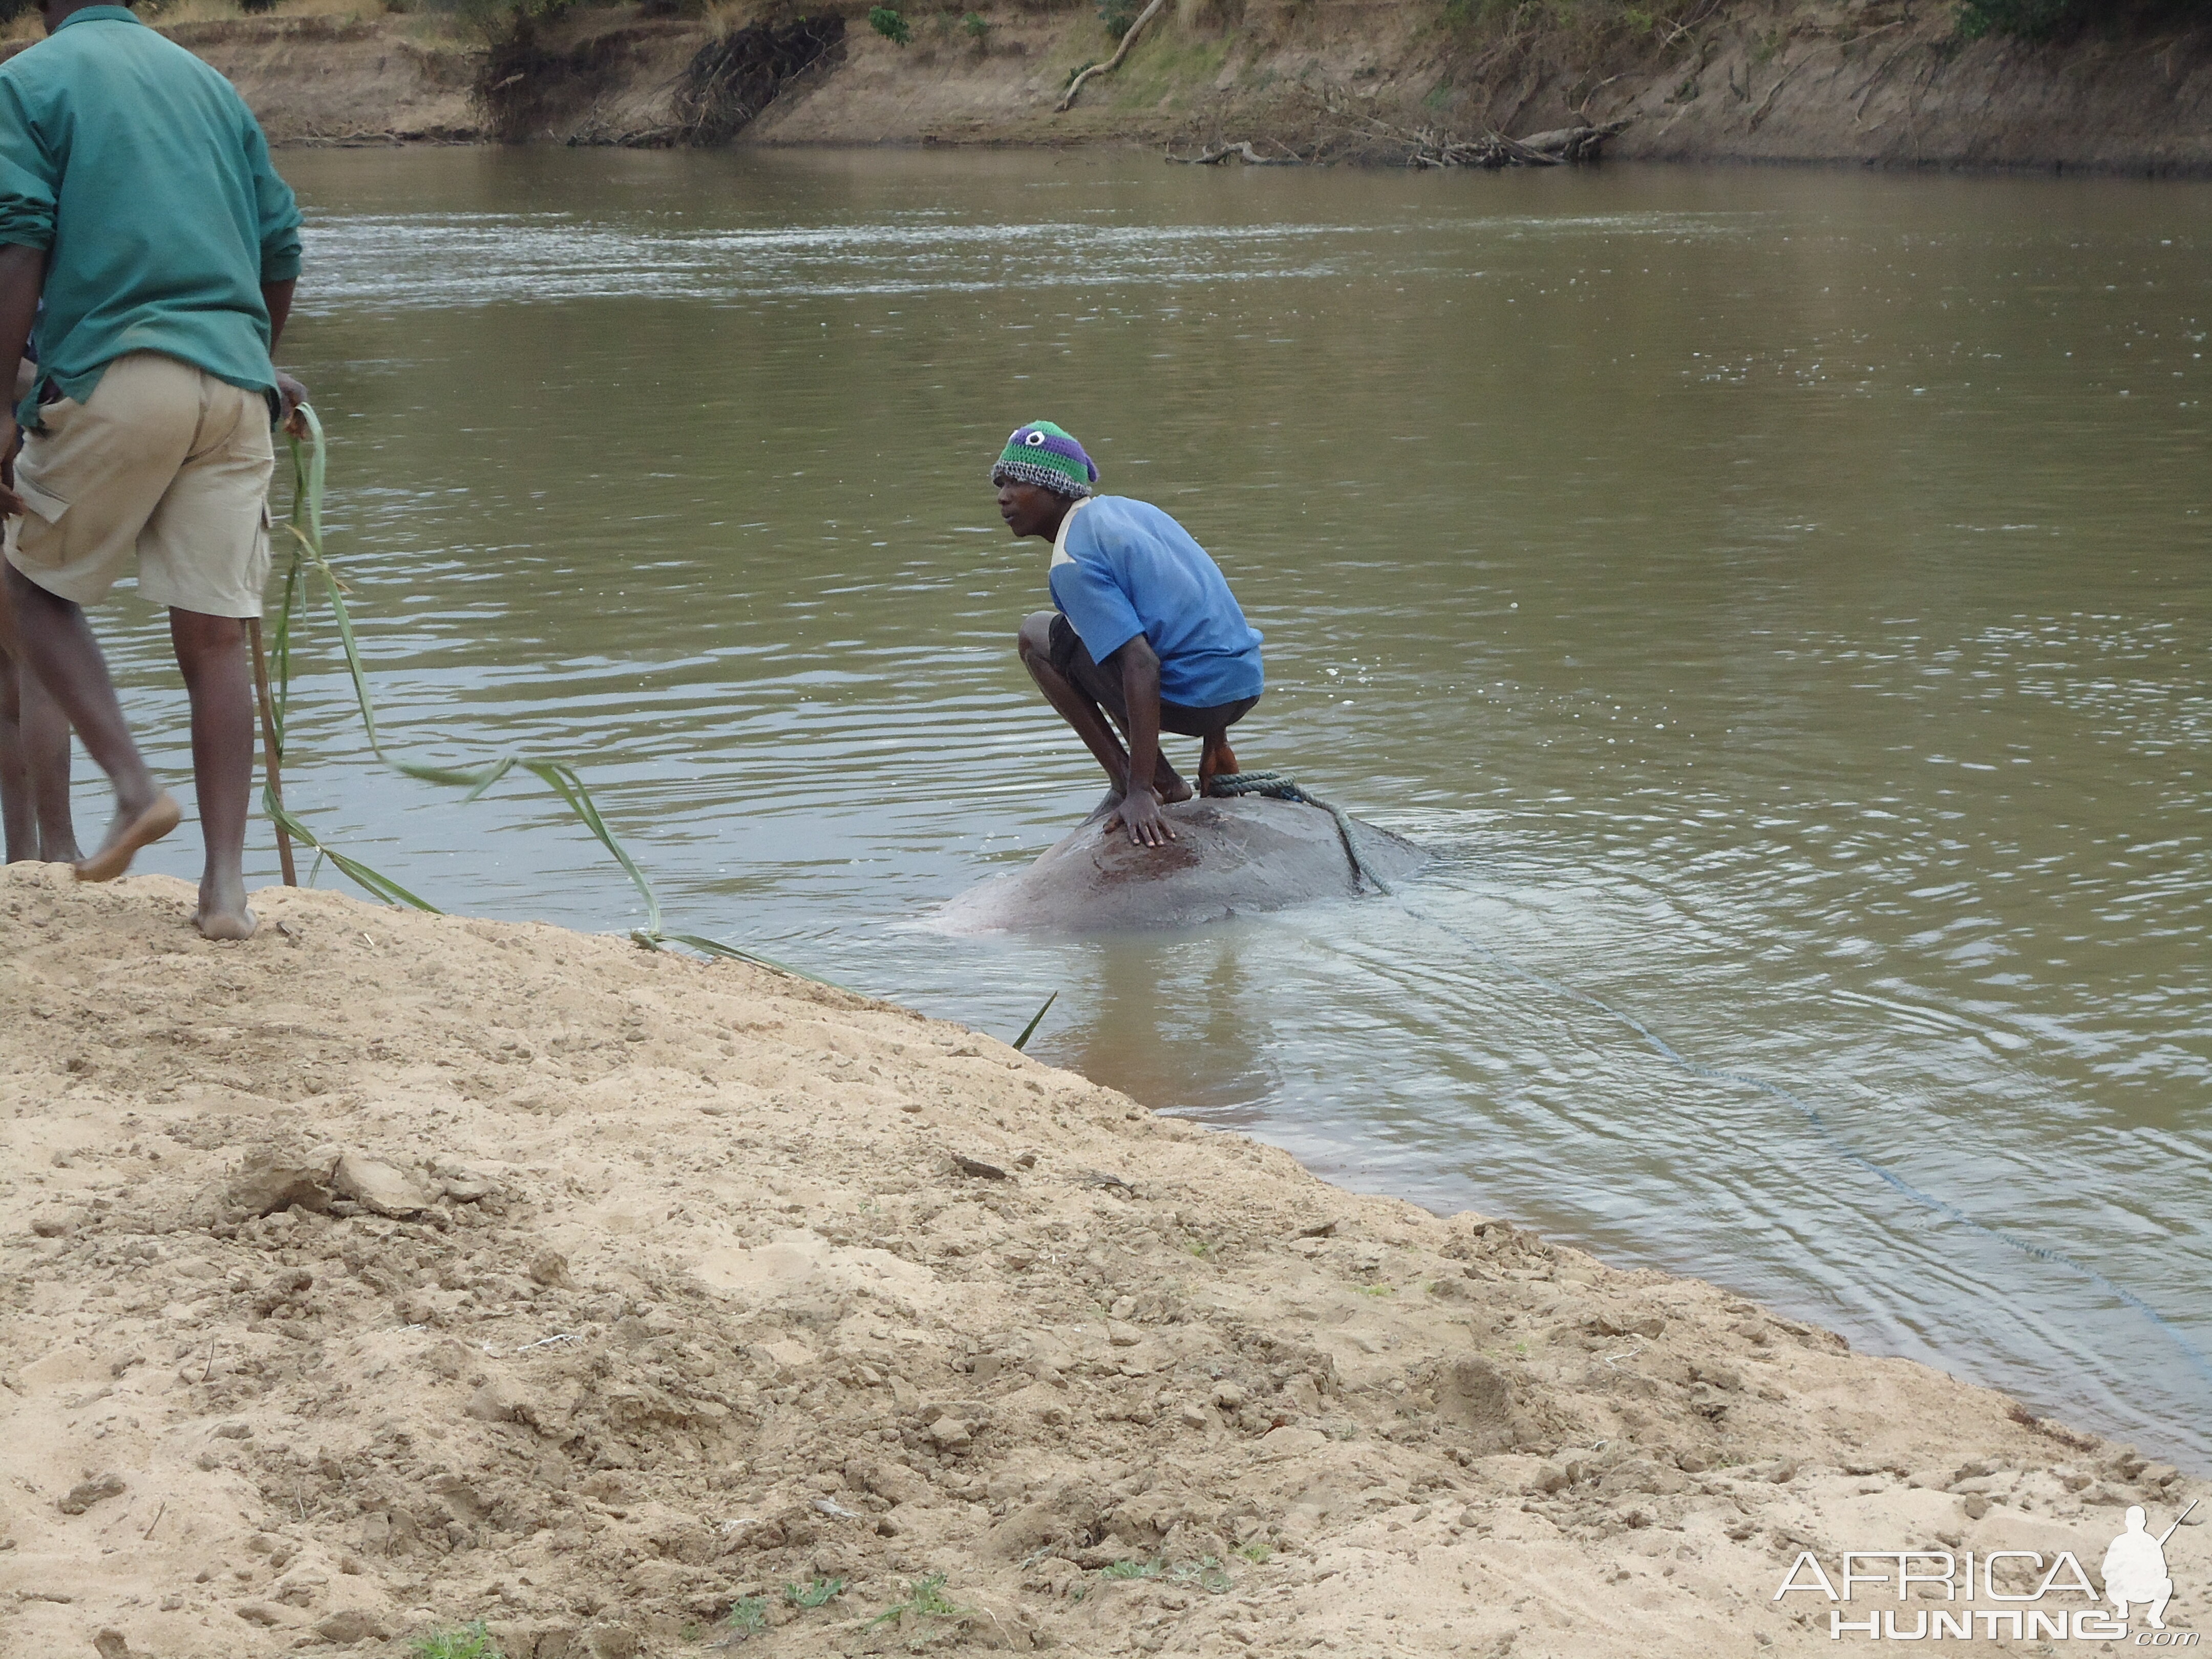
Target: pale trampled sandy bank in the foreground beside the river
{"points": [[649, 1288]]}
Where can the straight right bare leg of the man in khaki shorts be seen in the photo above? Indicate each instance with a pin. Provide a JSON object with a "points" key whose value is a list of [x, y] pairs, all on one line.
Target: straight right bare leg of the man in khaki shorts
{"points": [[211, 651]]}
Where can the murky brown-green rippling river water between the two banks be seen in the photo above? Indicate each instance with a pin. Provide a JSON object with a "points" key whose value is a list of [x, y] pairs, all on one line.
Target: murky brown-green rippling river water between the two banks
{"points": [[1782, 601]]}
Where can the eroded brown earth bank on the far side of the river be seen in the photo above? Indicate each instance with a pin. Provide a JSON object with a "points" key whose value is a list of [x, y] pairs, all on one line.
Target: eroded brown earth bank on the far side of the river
{"points": [[1884, 83]]}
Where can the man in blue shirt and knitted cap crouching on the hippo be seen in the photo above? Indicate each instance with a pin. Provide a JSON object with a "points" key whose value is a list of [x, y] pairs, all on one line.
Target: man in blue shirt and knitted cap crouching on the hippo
{"points": [[1145, 629]]}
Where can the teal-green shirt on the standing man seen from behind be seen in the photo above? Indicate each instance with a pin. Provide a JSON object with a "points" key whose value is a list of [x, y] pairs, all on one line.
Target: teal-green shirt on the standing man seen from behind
{"points": [[147, 180]]}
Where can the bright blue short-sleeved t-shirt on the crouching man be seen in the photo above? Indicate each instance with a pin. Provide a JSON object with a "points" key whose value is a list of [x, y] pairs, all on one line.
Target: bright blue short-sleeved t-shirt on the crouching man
{"points": [[1125, 570]]}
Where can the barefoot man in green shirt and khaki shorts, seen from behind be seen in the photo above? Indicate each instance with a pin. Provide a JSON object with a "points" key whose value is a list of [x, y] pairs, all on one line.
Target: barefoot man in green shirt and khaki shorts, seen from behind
{"points": [[138, 202]]}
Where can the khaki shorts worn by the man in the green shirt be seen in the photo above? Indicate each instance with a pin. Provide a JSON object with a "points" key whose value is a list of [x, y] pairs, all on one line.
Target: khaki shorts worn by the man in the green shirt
{"points": [[163, 463]]}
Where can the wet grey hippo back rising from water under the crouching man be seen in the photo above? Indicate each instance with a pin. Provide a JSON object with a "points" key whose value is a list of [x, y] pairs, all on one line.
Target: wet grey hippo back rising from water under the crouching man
{"points": [[1227, 859]]}
